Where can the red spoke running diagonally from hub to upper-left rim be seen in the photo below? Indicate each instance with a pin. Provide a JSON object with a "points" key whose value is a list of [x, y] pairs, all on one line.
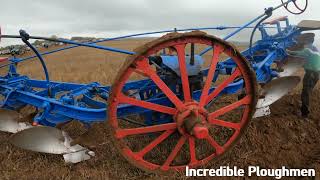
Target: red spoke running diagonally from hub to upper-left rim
{"points": [[144, 66]]}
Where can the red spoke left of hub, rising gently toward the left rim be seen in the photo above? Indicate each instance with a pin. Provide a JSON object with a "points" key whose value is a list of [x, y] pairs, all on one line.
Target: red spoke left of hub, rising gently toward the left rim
{"points": [[148, 105]]}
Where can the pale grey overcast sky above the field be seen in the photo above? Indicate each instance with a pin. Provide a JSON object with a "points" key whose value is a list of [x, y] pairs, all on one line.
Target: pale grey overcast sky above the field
{"points": [[109, 18]]}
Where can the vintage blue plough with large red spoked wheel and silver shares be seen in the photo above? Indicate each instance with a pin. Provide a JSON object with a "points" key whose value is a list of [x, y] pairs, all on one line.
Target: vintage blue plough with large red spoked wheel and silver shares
{"points": [[193, 99]]}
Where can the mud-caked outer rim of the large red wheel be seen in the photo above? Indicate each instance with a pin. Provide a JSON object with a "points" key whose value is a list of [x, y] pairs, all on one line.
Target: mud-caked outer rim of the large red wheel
{"points": [[136, 158]]}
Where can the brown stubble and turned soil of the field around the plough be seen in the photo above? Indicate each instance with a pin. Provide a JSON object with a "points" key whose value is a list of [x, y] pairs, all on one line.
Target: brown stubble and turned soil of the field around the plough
{"points": [[281, 139]]}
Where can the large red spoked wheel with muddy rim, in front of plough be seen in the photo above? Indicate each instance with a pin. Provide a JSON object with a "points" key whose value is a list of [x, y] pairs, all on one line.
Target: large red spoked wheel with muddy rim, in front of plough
{"points": [[202, 129]]}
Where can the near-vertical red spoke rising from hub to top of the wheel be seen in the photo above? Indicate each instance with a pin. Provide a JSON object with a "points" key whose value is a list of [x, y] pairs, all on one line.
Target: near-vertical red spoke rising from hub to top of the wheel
{"points": [[180, 48]]}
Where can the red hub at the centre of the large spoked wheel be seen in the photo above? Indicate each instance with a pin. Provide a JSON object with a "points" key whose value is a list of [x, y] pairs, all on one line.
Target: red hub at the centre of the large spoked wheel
{"points": [[192, 121]]}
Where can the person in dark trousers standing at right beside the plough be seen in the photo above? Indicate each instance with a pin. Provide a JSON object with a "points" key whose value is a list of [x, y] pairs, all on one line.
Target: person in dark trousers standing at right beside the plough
{"points": [[312, 68]]}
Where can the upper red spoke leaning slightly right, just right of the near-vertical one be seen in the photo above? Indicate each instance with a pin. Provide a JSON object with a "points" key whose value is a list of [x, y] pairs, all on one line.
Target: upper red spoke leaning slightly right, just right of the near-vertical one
{"points": [[216, 52]]}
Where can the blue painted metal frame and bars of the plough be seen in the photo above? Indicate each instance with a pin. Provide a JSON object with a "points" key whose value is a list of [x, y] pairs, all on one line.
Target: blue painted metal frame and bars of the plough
{"points": [[70, 101]]}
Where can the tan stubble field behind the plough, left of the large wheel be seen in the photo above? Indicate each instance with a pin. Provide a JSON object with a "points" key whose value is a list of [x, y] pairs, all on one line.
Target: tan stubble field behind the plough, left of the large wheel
{"points": [[82, 65]]}
